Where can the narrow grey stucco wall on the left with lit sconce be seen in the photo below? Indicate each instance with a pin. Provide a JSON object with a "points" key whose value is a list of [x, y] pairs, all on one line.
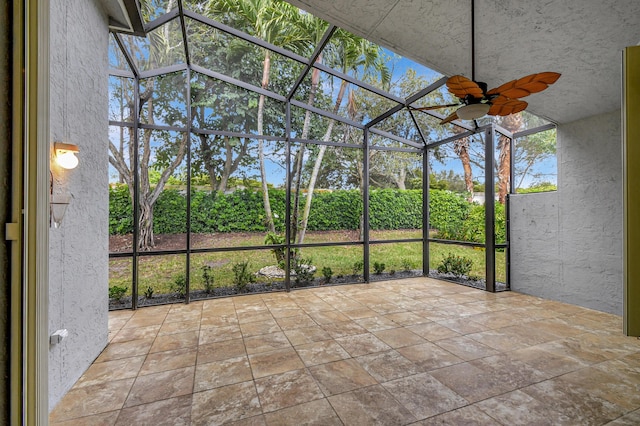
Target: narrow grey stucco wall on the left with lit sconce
{"points": [[78, 268]]}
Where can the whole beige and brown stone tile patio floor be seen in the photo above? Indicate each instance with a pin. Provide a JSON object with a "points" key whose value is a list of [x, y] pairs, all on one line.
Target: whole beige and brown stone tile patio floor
{"points": [[415, 351]]}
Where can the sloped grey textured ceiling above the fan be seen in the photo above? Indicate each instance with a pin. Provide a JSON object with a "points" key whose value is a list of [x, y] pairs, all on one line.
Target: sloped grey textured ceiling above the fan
{"points": [[582, 39]]}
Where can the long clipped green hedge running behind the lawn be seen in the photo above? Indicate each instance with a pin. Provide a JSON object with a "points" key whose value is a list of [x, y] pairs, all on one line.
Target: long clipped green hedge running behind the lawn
{"points": [[243, 211]]}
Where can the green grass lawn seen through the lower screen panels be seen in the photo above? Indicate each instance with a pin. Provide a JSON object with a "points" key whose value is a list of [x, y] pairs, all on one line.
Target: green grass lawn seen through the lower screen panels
{"points": [[161, 271]]}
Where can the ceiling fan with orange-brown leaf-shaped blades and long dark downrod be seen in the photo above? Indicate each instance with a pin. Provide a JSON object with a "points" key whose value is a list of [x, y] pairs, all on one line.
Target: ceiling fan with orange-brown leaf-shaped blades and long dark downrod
{"points": [[475, 100]]}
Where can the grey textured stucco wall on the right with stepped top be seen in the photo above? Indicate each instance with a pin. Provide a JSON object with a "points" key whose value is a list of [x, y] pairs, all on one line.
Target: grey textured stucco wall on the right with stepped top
{"points": [[567, 245]]}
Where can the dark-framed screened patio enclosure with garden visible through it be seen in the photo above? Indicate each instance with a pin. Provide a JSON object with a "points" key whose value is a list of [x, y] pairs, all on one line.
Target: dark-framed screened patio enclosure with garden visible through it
{"points": [[258, 149]]}
